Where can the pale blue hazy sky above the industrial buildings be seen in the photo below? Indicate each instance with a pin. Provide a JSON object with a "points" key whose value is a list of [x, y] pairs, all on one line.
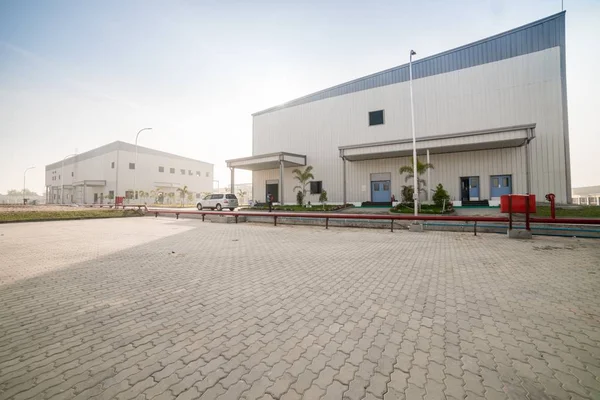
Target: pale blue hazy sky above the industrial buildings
{"points": [[75, 75]]}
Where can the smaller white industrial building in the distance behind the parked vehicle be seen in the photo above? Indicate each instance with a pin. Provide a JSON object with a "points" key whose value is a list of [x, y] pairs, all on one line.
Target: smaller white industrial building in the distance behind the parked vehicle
{"points": [[99, 176]]}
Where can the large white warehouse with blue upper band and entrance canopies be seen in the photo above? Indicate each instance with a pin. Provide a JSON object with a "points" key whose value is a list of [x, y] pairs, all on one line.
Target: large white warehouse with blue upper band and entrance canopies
{"points": [[492, 115]]}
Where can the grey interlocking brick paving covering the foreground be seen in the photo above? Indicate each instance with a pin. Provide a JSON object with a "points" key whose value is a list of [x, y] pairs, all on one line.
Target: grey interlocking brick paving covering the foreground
{"points": [[158, 308]]}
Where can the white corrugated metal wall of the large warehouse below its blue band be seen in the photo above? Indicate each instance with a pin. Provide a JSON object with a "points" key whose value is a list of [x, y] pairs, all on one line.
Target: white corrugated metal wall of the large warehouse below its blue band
{"points": [[515, 91]]}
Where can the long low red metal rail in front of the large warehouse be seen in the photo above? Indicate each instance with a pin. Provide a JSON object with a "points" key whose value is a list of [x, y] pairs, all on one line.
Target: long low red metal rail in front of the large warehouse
{"points": [[379, 217]]}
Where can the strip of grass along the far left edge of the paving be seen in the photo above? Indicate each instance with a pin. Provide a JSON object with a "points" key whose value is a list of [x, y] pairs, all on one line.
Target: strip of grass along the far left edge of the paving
{"points": [[19, 216]]}
